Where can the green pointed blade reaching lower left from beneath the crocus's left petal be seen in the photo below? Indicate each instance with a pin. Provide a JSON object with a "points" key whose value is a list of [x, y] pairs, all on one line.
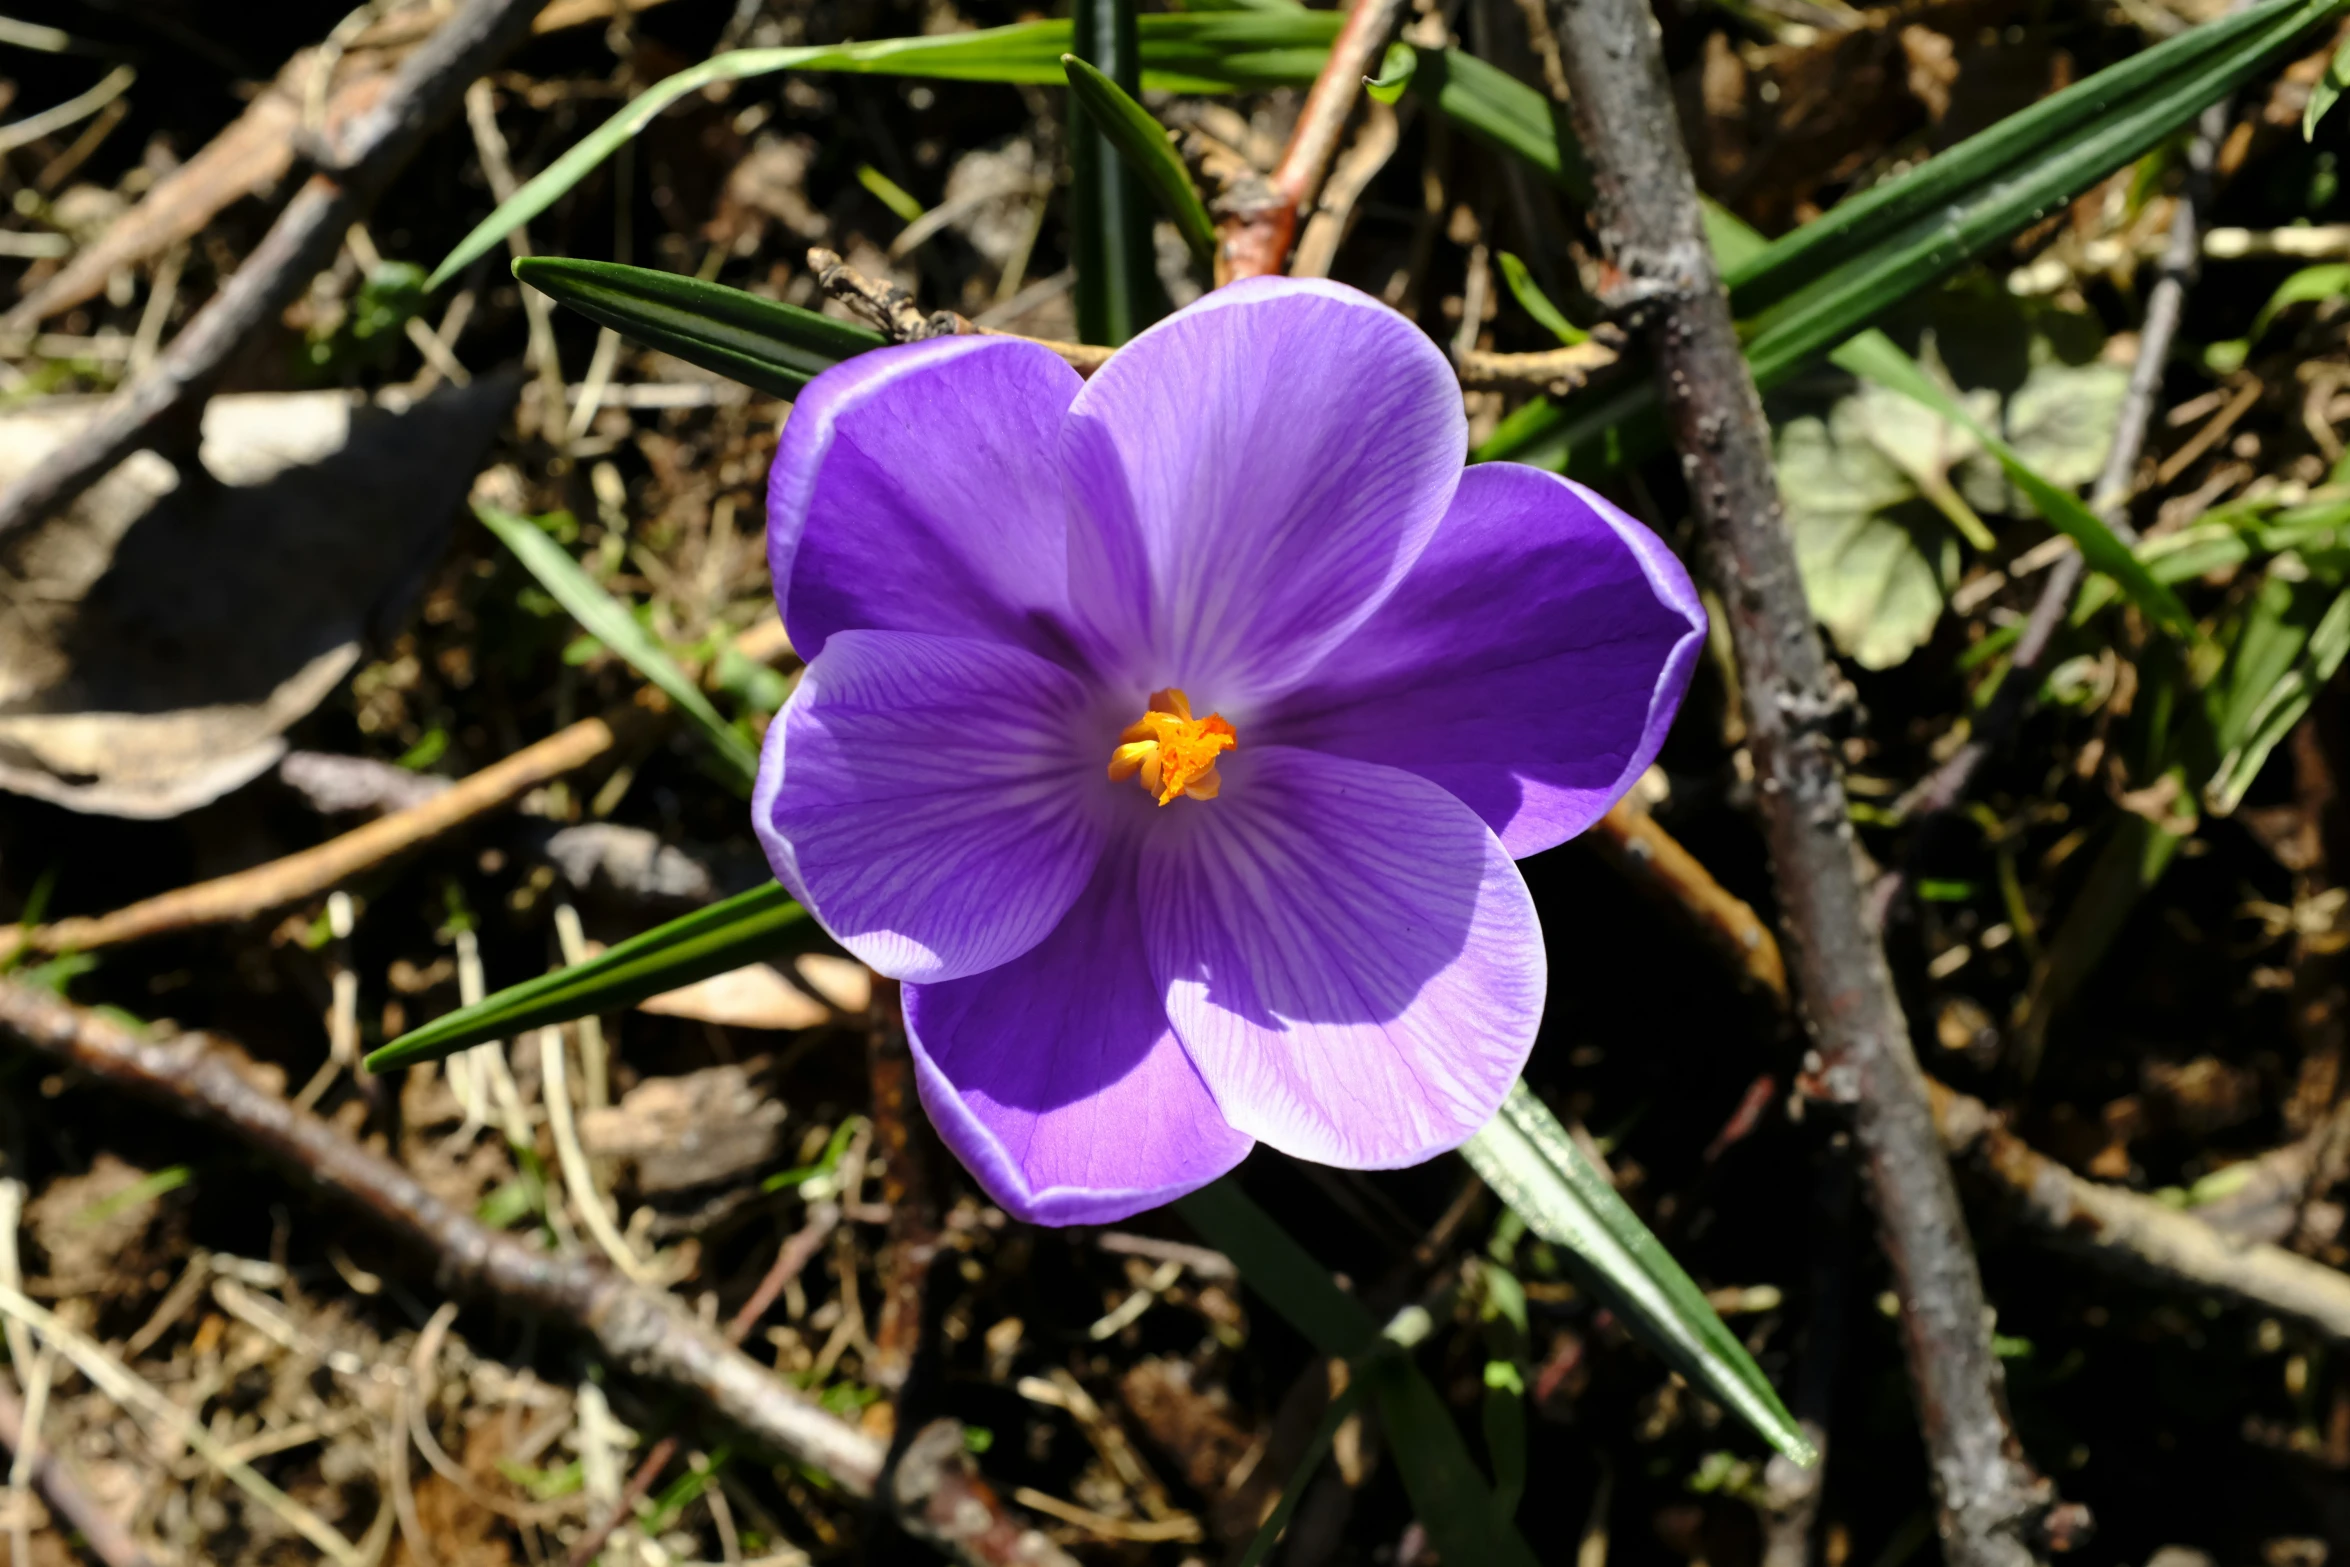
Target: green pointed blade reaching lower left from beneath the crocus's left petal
{"points": [[746, 929]]}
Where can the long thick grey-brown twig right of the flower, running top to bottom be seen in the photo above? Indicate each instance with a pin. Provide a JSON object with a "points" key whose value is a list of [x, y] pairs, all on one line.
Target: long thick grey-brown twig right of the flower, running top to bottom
{"points": [[1660, 276]]}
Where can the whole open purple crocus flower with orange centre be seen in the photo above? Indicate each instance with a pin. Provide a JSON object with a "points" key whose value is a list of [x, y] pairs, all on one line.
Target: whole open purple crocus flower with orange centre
{"points": [[1174, 734]]}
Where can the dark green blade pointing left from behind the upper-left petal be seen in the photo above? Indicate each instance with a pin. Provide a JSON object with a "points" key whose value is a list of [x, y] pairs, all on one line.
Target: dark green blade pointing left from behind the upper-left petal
{"points": [[765, 344]]}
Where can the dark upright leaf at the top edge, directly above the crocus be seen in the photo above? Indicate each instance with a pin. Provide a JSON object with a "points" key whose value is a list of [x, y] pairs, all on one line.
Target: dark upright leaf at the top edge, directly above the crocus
{"points": [[1110, 227]]}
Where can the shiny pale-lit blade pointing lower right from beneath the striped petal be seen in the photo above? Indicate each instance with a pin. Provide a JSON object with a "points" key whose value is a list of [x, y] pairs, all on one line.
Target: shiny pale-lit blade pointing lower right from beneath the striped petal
{"points": [[1533, 1164]]}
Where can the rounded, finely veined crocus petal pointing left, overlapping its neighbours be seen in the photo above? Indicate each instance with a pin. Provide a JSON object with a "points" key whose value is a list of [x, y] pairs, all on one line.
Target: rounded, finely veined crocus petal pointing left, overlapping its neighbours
{"points": [[929, 800]]}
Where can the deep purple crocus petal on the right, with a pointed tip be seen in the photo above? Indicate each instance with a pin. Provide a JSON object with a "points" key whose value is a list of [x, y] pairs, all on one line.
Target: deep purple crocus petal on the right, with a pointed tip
{"points": [[1531, 664]]}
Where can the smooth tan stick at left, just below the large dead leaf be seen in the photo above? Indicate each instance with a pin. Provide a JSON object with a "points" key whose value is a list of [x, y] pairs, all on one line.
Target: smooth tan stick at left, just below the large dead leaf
{"points": [[316, 870]]}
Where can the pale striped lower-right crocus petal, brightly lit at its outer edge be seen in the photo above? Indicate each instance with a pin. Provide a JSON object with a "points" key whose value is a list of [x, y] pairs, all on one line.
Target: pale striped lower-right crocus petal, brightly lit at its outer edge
{"points": [[1348, 953]]}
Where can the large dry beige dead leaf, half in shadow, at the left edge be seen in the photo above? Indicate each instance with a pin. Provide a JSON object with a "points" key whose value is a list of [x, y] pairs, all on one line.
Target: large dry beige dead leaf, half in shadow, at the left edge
{"points": [[161, 633]]}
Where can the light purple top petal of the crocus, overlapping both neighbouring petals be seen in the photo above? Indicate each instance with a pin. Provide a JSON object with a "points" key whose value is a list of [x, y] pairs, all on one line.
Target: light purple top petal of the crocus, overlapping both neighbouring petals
{"points": [[1249, 480]]}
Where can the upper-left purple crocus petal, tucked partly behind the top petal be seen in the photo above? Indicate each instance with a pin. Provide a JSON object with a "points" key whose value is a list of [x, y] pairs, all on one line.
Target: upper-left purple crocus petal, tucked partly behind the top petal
{"points": [[918, 490]]}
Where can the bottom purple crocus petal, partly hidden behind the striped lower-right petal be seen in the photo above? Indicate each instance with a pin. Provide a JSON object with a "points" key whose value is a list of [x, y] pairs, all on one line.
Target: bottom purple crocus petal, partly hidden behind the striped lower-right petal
{"points": [[1059, 1082]]}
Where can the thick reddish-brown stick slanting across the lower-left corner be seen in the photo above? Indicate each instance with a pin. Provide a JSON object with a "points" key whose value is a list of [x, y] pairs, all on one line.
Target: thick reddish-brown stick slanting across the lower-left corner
{"points": [[643, 1331]]}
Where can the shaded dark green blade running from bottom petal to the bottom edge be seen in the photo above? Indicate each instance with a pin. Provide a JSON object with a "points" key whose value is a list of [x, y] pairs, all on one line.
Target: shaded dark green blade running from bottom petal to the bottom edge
{"points": [[1449, 1491]]}
